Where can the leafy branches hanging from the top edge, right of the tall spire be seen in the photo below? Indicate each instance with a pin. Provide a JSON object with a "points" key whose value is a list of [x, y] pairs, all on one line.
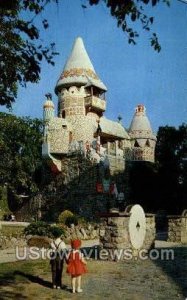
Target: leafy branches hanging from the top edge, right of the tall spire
{"points": [[126, 12]]}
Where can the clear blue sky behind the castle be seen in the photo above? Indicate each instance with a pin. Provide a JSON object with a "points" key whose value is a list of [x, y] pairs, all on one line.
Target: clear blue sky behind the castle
{"points": [[133, 74]]}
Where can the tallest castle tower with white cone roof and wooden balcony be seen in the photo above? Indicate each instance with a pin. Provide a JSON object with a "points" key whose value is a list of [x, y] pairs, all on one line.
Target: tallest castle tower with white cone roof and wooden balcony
{"points": [[81, 99]]}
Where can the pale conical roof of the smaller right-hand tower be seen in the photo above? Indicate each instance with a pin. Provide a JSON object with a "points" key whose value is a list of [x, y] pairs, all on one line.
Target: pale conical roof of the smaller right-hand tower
{"points": [[140, 126]]}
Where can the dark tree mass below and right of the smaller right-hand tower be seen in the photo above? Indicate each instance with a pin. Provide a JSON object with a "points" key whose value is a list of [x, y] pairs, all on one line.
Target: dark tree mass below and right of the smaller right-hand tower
{"points": [[162, 185]]}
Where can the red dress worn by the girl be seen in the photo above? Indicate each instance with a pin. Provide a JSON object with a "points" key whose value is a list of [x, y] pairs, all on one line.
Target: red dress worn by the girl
{"points": [[75, 266]]}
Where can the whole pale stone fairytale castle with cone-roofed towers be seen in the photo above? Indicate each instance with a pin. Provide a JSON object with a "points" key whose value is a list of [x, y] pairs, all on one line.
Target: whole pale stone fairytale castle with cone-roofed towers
{"points": [[81, 126]]}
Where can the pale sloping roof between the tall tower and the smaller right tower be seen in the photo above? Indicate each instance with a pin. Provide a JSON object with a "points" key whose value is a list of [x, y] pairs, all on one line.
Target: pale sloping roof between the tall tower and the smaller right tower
{"points": [[113, 128]]}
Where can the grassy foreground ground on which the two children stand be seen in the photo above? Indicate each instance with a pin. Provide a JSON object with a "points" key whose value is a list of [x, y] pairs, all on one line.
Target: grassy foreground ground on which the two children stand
{"points": [[129, 280]]}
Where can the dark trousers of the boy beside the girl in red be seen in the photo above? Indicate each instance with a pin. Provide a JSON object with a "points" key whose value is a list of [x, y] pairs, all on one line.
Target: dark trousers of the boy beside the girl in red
{"points": [[56, 269]]}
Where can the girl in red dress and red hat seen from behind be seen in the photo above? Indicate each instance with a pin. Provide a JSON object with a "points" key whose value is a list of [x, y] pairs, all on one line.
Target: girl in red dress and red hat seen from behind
{"points": [[76, 265]]}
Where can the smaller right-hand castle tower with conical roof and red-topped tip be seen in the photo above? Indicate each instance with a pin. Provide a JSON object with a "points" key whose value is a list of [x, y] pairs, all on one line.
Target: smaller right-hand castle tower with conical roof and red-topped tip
{"points": [[143, 140]]}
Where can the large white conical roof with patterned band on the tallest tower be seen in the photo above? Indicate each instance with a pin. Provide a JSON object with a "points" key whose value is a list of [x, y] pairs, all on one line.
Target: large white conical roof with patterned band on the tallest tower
{"points": [[78, 69]]}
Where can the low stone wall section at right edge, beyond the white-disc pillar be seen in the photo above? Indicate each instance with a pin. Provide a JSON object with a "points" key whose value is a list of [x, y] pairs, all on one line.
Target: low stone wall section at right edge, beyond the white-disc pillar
{"points": [[177, 229]]}
